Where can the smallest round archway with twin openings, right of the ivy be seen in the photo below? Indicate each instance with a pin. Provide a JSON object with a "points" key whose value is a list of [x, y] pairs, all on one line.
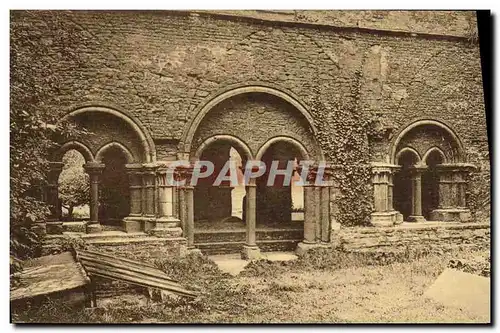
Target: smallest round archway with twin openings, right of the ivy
{"points": [[438, 171]]}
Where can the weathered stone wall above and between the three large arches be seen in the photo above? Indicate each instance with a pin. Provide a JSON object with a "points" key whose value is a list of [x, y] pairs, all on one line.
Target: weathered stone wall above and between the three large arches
{"points": [[161, 66]]}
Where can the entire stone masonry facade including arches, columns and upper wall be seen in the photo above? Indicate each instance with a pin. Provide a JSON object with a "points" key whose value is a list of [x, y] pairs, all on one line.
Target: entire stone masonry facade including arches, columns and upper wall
{"points": [[357, 90]]}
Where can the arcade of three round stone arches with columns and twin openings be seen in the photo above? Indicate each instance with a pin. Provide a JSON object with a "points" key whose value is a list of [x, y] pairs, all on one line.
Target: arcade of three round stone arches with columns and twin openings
{"points": [[424, 178]]}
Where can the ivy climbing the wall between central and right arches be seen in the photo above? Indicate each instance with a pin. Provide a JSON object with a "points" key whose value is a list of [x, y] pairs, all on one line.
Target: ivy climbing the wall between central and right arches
{"points": [[347, 148]]}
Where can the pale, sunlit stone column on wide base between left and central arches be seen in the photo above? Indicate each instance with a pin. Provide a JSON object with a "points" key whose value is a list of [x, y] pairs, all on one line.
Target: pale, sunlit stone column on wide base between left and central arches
{"points": [[166, 224]]}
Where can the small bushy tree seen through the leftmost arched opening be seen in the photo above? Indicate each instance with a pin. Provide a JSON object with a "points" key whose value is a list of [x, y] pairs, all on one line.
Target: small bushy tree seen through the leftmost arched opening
{"points": [[74, 186]]}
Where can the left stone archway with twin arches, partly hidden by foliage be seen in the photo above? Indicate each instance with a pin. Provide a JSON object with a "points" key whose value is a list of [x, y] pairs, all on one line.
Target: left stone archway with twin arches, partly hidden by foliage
{"points": [[108, 130]]}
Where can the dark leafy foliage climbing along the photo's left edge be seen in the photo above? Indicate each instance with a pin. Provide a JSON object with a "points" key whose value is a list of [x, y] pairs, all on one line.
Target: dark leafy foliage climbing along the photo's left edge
{"points": [[34, 126]]}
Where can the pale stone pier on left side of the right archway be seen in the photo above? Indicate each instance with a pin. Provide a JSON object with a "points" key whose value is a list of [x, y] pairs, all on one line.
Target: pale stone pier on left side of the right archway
{"points": [[383, 214]]}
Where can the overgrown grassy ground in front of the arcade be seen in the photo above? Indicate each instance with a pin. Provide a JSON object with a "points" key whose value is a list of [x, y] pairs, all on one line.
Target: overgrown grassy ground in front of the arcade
{"points": [[324, 286]]}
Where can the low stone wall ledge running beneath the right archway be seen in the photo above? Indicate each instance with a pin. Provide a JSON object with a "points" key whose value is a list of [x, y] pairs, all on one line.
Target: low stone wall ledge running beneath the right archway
{"points": [[430, 236]]}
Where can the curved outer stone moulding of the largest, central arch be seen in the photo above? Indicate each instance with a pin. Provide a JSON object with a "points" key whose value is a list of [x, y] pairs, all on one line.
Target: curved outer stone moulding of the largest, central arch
{"points": [[202, 110]]}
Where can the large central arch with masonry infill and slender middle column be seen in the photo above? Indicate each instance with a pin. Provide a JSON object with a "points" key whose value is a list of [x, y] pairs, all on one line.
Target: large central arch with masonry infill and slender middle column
{"points": [[256, 116]]}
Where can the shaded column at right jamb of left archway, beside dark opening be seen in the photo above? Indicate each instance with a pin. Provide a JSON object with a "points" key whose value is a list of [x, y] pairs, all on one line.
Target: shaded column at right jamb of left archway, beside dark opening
{"points": [[134, 222]]}
